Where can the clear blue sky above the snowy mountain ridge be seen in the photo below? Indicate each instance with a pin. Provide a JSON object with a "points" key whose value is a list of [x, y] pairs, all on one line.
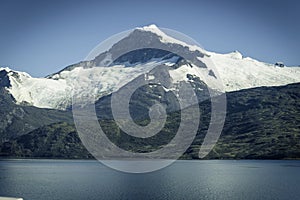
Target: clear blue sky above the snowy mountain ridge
{"points": [[42, 37]]}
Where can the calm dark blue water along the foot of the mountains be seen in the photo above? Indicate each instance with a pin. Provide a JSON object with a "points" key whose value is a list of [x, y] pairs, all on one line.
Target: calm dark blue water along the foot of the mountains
{"points": [[84, 180]]}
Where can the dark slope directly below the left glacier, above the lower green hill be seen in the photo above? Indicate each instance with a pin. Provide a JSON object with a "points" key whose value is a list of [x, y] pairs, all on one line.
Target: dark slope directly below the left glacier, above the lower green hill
{"points": [[17, 120]]}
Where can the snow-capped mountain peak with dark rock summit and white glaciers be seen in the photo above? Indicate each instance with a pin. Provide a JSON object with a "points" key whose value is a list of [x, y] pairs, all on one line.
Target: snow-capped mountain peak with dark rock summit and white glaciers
{"points": [[102, 78]]}
